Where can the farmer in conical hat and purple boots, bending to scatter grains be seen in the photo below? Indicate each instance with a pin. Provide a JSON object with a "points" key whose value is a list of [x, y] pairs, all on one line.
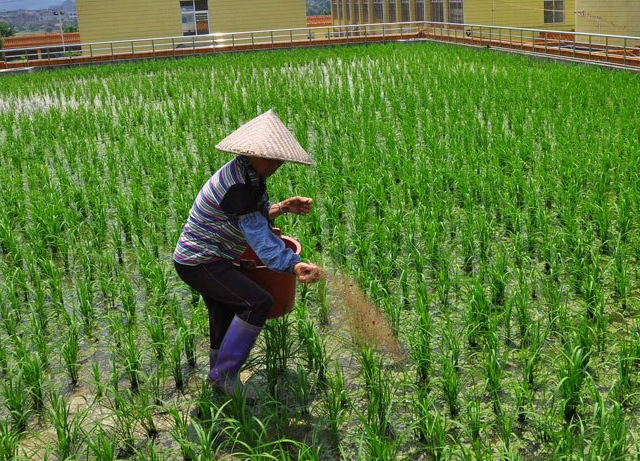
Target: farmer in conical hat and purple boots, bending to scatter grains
{"points": [[232, 211]]}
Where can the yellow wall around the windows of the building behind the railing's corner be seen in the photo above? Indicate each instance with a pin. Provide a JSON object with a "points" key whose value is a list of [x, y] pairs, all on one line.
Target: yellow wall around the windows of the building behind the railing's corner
{"points": [[524, 13]]}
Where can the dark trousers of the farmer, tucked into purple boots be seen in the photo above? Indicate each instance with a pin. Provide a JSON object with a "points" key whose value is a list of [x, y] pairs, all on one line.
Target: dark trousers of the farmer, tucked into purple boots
{"points": [[226, 292]]}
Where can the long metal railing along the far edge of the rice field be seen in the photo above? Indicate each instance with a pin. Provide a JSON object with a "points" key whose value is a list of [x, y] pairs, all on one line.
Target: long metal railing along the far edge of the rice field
{"points": [[615, 50]]}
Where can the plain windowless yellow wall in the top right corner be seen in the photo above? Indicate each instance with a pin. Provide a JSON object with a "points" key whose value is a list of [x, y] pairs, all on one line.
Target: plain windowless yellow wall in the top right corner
{"points": [[617, 17]]}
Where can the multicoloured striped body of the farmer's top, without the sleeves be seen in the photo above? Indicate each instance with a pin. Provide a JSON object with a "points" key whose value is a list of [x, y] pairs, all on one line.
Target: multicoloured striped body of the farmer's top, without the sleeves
{"points": [[211, 234]]}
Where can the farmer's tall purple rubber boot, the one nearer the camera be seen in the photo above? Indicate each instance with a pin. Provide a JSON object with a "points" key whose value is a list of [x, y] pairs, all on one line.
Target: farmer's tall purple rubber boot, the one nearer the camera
{"points": [[233, 352]]}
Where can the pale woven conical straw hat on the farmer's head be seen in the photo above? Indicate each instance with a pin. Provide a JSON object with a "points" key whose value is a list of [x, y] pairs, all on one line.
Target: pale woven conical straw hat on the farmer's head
{"points": [[265, 136]]}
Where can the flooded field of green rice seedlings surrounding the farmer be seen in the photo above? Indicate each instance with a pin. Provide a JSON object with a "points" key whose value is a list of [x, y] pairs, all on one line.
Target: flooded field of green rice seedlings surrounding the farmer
{"points": [[485, 204]]}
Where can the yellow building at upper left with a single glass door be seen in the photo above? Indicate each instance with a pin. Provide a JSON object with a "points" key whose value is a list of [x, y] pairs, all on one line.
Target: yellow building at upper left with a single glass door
{"points": [[111, 20]]}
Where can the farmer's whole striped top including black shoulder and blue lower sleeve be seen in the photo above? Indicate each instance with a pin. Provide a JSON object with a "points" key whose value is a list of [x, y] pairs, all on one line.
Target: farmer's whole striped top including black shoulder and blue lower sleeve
{"points": [[222, 224]]}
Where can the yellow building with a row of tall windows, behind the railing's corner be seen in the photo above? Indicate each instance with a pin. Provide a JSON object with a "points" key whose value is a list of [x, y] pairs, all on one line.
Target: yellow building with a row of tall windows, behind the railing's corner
{"points": [[538, 14]]}
